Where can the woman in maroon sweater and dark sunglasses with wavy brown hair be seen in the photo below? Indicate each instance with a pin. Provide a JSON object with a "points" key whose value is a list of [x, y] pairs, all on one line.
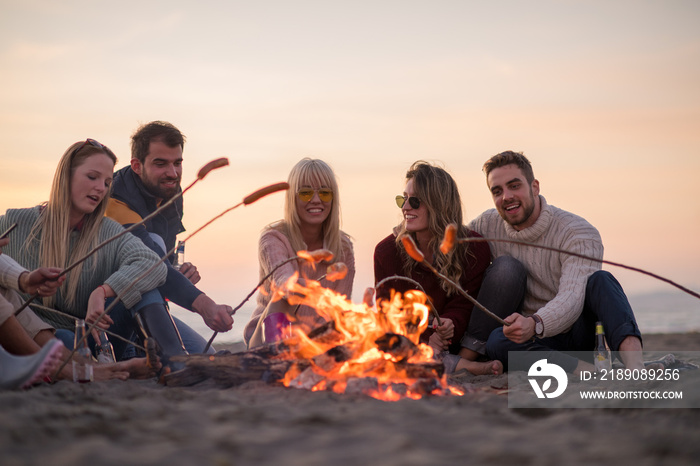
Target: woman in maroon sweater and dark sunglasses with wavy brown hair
{"points": [[430, 202]]}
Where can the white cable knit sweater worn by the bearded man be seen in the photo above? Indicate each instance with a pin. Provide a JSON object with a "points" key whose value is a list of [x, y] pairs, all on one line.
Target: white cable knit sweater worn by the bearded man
{"points": [[556, 282]]}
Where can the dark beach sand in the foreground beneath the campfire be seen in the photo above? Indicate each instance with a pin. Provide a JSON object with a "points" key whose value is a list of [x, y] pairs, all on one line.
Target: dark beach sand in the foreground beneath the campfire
{"points": [[141, 422]]}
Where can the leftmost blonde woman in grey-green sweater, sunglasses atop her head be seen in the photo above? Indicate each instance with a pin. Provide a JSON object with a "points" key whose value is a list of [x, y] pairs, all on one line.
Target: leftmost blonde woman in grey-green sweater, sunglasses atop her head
{"points": [[68, 227]]}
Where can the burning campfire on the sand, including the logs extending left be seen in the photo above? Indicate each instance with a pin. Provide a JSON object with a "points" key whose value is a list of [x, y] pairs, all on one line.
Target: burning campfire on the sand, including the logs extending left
{"points": [[373, 350]]}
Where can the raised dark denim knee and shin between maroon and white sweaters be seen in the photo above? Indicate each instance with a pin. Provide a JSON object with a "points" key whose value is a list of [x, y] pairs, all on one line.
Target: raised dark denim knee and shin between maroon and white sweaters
{"points": [[502, 292]]}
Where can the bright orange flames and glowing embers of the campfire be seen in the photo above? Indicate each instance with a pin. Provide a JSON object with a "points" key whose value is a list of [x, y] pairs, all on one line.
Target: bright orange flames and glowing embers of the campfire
{"points": [[375, 351]]}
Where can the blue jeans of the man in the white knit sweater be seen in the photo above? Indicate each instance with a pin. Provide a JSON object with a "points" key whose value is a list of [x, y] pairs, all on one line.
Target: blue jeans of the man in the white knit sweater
{"points": [[605, 302]]}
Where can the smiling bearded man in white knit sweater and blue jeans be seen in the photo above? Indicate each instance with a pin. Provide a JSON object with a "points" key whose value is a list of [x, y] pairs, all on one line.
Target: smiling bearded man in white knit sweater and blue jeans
{"points": [[565, 295]]}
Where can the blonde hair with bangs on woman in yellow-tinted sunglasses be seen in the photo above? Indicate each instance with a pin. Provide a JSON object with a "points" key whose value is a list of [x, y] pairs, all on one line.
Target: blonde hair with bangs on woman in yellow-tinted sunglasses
{"points": [[312, 172]]}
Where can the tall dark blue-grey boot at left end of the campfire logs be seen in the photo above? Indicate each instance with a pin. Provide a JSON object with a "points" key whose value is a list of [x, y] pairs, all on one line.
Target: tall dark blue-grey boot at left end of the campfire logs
{"points": [[156, 323]]}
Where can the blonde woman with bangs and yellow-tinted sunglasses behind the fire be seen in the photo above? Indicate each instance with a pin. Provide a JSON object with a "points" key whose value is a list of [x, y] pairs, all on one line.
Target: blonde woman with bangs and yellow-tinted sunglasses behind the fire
{"points": [[311, 222]]}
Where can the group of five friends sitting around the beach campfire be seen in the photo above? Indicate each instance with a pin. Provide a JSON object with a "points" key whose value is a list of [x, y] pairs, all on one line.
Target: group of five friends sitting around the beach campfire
{"points": [[549, 300]]}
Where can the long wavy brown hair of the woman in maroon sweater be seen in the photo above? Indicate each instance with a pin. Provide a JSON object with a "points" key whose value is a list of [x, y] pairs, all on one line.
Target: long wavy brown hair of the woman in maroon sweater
{"points": [[438, 191]]}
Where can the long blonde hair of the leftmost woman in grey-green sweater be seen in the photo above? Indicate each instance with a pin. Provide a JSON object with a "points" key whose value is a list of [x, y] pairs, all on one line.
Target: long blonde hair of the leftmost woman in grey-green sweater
{"points": [[53, 225]]}
